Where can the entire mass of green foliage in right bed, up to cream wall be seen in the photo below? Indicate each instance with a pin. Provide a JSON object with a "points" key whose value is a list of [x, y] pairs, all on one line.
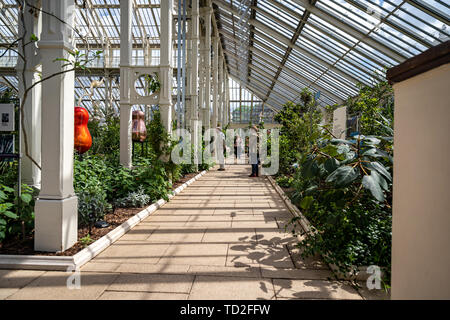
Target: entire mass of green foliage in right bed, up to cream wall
{"points": [[343, 186]]}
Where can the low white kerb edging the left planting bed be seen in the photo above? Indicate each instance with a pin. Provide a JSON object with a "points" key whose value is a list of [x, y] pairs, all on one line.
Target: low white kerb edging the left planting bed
{"points": [[62, 263]]}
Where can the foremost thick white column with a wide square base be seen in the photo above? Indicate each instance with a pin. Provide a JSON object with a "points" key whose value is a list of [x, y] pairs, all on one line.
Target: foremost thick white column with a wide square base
{"points": [[56, 221]]}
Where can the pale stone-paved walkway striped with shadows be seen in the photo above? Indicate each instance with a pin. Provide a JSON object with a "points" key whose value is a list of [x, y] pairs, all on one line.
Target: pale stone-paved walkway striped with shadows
{"points": [[221, 238]]}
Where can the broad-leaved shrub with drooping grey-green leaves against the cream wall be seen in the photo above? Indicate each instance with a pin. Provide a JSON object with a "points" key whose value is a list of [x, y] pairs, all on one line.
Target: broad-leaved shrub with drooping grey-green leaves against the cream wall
{"points": [[344, 188]]}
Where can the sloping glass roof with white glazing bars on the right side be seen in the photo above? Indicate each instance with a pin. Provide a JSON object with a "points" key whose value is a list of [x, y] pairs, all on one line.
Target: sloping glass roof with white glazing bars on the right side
{"points": [[325, 45]]}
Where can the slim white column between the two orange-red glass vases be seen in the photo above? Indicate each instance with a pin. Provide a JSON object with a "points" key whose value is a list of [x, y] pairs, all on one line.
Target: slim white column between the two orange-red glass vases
{"points": [[126, 42]]}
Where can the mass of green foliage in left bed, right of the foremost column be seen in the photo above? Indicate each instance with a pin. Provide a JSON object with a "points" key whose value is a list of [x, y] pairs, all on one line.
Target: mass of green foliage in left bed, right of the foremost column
{"points": [[101, 182]]}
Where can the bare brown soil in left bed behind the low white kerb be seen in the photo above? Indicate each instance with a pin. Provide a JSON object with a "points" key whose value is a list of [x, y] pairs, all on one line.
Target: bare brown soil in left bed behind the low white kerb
{"points": [[115, 219]]}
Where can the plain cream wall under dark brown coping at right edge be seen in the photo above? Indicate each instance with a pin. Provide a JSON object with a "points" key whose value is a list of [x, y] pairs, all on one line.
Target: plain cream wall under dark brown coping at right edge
{"points": [[421, 205]]}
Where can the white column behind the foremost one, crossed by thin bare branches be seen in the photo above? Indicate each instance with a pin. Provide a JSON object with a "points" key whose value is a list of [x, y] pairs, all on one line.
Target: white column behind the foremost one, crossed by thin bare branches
{"points": [[31, 174]]}
